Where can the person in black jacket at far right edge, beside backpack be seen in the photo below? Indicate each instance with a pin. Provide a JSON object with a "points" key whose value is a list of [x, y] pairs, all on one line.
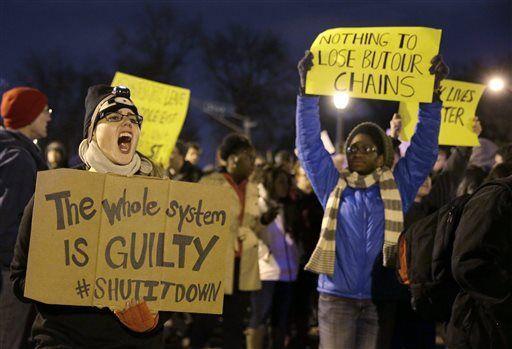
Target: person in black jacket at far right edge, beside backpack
{"points": [[482, 266]]}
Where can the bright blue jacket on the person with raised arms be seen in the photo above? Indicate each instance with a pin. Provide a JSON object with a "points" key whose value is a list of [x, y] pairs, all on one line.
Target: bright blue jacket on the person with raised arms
{"points": [[360, 229]]}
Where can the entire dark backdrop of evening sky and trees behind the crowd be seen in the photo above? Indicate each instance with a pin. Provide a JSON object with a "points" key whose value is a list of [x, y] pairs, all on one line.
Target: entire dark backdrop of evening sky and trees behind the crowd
{"points": [[241, 53]]}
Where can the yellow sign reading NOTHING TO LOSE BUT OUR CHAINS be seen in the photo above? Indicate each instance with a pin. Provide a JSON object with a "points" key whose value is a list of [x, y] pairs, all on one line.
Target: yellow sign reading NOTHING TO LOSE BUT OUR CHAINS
{"points": [[375, 63]]}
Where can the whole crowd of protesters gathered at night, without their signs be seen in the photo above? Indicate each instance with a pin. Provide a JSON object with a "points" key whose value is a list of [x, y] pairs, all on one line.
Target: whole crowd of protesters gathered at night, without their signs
{"points": [[313, 250]]}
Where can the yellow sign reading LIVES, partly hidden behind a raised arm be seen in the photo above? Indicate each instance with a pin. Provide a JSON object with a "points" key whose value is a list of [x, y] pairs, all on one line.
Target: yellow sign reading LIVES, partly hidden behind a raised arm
{"points": [[460, 100]]}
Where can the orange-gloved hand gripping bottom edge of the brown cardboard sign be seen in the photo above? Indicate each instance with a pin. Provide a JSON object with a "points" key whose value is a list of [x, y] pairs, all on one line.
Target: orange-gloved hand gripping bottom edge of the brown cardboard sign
{"points": [[137, 316]]}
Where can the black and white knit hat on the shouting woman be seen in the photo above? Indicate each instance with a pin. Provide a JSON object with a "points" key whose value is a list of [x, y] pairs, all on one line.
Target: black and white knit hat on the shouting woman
{"points": [[99, 94]]}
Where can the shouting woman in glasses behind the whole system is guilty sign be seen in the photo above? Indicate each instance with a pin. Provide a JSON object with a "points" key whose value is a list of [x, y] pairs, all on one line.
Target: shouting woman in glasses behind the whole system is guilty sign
{"points": [[111, 133]]}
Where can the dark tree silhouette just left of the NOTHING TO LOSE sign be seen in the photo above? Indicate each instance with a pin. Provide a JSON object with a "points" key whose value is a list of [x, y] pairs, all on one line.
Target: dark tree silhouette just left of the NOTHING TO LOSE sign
{"points": [[254, 72]]}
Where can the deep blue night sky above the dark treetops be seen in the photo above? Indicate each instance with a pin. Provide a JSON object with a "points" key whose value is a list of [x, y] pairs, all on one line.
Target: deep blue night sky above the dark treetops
{"points": [[472, 30]]}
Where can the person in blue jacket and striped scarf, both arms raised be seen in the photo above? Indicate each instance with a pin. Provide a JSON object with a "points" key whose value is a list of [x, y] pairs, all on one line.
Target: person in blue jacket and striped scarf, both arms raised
{"points": [[364, 207]]}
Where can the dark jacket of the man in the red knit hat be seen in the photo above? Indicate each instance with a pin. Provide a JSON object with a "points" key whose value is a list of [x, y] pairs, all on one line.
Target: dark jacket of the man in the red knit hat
{"points": [[20, 159]]}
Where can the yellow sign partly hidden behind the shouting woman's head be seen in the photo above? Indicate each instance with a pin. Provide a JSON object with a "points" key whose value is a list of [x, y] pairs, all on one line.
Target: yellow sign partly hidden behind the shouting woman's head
{"points": [[163, 107]]}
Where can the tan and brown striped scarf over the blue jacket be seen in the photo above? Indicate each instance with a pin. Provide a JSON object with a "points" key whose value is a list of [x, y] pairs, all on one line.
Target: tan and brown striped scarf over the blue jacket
{"points": [[323, 257]]}
